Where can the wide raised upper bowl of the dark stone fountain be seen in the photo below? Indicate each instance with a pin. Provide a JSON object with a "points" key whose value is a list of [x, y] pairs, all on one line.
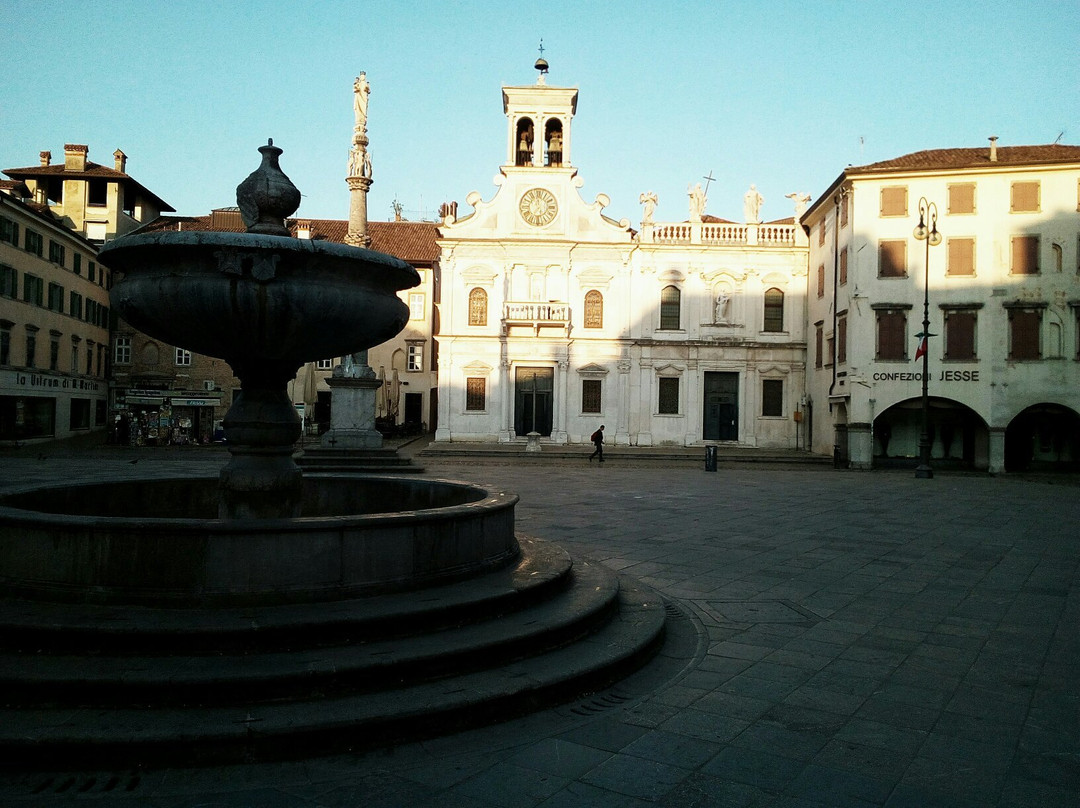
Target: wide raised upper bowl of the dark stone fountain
{"points": [[255, 300]]}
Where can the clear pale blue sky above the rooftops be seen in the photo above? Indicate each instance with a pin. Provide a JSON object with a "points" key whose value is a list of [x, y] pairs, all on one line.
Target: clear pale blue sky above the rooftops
{"points": [[781, 95]]}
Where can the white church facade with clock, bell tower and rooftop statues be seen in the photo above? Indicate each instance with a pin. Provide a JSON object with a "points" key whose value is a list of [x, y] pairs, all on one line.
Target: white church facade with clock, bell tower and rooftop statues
{"points": [[556, 319]]}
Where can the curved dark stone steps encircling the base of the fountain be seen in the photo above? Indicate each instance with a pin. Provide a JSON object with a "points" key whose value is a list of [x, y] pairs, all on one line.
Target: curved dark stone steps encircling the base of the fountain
{"points": [[543, 632]]}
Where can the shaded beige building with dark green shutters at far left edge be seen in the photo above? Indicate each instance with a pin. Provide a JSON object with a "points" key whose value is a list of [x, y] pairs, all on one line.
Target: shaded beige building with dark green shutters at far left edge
{"points": [[55, 326]]}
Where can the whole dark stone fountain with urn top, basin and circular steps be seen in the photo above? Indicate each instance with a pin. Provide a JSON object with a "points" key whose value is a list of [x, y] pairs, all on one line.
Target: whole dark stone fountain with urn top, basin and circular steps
{"points": [[268, 613]]}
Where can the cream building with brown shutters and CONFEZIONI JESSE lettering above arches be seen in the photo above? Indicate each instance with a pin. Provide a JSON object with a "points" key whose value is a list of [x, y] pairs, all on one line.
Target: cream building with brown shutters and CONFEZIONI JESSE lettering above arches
{"points": [[1004, 295]]}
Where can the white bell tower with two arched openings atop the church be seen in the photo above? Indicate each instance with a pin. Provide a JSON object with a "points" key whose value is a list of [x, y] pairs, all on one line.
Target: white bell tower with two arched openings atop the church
{"points": [[538, 132]]}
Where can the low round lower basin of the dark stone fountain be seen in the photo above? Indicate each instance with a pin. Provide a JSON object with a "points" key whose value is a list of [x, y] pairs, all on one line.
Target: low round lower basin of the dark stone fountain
{"points": [[159, 542]]}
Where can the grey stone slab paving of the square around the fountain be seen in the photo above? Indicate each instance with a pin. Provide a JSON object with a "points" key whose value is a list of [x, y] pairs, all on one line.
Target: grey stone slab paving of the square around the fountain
{"points": [[839, 639]]}
